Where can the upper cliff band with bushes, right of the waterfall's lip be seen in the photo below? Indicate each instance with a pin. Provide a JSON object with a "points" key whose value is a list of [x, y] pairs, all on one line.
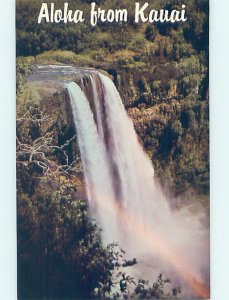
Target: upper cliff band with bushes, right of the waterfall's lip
{"points": [[156, 82]]}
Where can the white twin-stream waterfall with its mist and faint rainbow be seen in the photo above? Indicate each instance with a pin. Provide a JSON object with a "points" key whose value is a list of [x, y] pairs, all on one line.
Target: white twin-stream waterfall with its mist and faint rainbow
{"points": [[125, 198]]}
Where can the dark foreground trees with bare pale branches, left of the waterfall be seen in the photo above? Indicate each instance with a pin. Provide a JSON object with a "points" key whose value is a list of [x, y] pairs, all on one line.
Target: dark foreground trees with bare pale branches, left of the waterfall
{"points": [[60, 252]]}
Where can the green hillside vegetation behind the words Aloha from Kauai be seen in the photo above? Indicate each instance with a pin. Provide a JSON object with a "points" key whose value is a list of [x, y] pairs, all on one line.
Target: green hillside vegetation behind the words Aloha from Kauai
{"points": [[33, 39]]}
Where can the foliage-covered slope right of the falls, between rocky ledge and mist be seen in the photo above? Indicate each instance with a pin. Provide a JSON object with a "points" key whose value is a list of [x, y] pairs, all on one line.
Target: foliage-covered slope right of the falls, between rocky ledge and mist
{"points": [[176, 138]]}
